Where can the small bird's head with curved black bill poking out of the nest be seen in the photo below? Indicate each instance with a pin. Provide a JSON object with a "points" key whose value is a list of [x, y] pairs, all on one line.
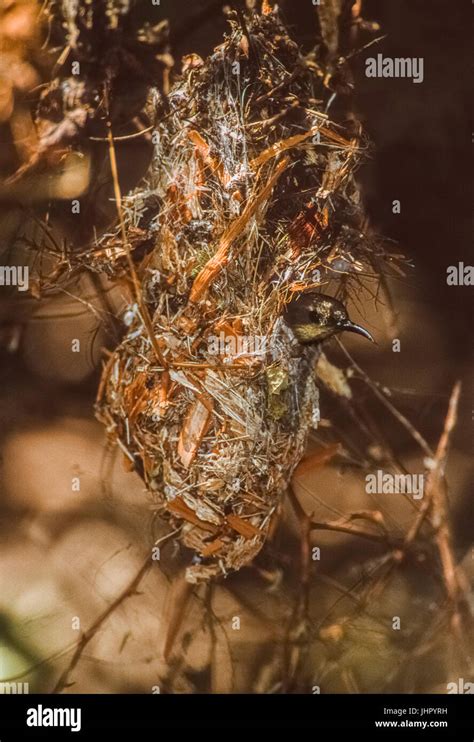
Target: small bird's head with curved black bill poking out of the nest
{"points": [[315, 317]]}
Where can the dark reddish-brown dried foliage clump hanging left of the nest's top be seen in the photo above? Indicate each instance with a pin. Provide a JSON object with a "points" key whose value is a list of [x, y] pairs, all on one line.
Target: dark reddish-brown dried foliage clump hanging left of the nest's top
{"points": [[106, 61]]}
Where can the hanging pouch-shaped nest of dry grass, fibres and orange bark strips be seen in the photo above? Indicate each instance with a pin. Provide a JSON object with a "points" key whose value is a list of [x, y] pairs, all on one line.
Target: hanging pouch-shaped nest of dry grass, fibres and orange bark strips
{"points": [[250, 199]]}
